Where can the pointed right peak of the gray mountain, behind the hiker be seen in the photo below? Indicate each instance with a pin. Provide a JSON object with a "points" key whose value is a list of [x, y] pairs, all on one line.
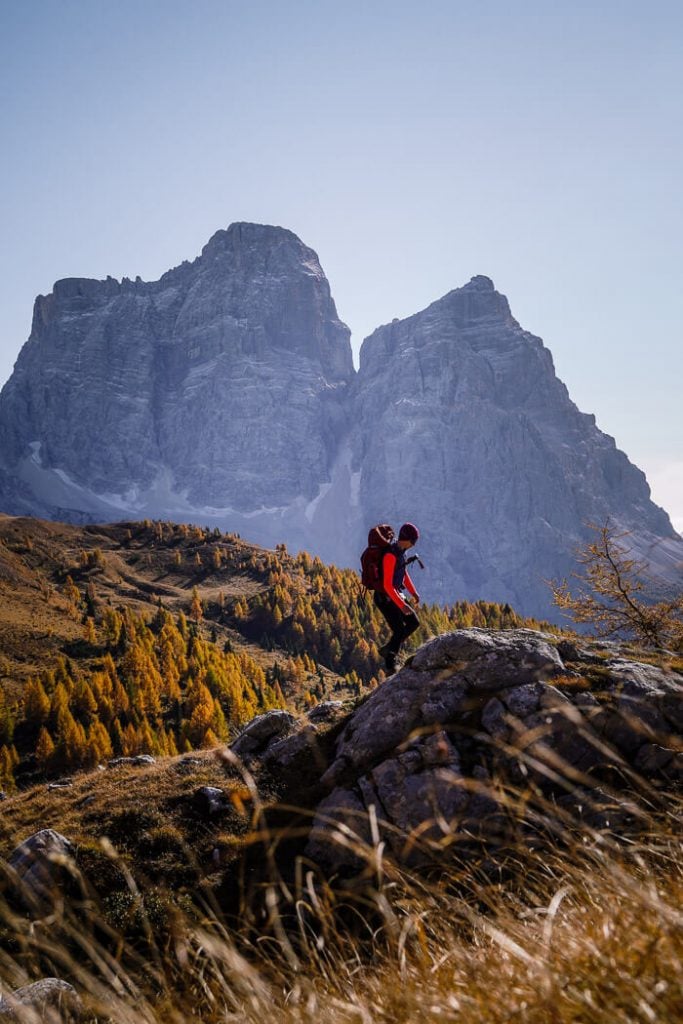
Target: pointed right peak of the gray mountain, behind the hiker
{"points": [[463, 428]]}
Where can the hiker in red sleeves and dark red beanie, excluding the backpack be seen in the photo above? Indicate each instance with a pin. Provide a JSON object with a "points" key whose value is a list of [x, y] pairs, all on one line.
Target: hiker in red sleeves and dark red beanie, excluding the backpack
{"points": [[389, 599]]}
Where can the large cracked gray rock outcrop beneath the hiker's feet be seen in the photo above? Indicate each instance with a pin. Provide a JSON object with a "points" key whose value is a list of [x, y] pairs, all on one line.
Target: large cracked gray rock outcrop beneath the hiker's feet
{"points": [[431, 762]]}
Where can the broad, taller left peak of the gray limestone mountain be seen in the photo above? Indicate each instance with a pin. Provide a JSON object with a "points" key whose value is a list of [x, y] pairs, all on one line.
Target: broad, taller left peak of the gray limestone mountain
{"points": [[223, 383]]}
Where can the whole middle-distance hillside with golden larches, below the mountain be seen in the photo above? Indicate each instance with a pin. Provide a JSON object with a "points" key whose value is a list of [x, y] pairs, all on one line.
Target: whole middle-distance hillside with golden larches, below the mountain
{"points": [[158, 638]]}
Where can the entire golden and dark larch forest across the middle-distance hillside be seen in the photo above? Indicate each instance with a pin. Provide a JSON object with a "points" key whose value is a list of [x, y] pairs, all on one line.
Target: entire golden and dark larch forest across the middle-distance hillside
{"points": [[164, 684]]}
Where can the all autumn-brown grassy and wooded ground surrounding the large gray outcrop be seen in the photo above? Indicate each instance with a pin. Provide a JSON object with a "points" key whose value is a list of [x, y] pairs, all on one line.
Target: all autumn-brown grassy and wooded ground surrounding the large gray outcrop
{"points": [[161, 638]]}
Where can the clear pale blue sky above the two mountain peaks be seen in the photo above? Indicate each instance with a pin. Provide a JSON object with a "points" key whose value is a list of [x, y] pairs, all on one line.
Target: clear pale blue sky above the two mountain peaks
{"points": [[411, 145]]}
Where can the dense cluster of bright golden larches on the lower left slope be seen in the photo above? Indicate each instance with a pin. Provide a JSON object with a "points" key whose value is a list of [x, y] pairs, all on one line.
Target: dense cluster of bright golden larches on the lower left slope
{"points": [[161, 689]]}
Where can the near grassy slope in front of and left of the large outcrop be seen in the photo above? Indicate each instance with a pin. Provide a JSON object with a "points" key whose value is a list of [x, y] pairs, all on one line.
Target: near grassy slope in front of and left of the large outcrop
{"points": [[164, 924]]}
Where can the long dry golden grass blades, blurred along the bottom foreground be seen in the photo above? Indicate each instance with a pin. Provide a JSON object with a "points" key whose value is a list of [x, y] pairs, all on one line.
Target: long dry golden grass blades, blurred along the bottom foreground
{"points": [[588, 931]]}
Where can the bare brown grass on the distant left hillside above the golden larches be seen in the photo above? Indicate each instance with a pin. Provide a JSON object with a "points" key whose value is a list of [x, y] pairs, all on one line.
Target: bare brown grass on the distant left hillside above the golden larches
{"points": [[37, 622]]}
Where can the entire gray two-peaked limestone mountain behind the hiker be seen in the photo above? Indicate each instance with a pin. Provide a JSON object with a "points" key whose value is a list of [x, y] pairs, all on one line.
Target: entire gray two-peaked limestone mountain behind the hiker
{"points": [[225, 394]]}
